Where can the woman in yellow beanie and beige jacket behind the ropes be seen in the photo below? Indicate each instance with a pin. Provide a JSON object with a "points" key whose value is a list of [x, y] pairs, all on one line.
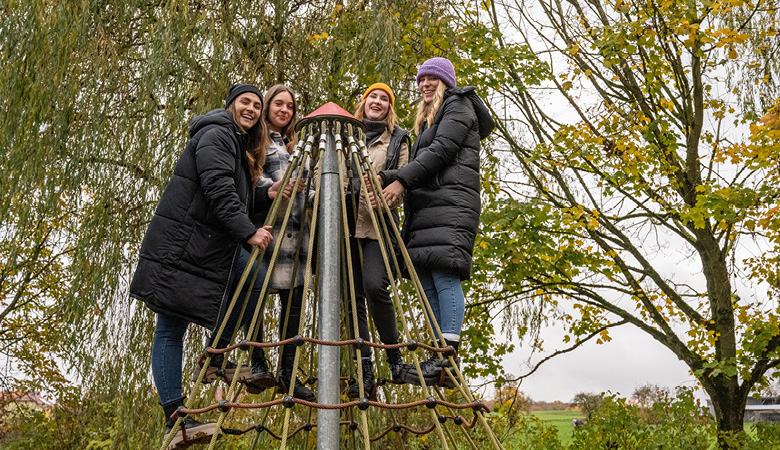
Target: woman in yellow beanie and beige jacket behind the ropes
{"points": [[388, 146]]}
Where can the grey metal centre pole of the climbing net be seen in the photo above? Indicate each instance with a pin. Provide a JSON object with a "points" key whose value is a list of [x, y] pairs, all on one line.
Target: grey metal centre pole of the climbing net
{"points": [[330, 294]]}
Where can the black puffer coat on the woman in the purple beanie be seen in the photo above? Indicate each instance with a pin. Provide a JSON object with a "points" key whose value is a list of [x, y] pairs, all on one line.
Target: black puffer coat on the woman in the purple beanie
{"points": [[442, 204]]}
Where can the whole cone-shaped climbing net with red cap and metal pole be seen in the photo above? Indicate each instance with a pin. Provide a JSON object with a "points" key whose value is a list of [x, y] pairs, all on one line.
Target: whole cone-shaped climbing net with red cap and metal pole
{"points": [[331, 145]]}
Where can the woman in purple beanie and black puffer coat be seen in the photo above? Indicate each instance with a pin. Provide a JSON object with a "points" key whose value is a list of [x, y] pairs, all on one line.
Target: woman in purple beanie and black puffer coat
{"points": [[442, 204]]}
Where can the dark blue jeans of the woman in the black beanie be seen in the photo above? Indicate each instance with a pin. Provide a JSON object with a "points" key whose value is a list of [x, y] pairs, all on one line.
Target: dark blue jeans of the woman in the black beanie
{"points": [[169, 337]]}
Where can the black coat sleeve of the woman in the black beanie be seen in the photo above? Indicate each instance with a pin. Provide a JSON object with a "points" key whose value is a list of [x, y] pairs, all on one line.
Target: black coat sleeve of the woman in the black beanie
{"points": [[215, 159]]}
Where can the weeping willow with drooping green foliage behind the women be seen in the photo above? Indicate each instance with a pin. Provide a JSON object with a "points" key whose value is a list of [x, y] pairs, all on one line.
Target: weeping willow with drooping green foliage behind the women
{"points": [[97, 98]]}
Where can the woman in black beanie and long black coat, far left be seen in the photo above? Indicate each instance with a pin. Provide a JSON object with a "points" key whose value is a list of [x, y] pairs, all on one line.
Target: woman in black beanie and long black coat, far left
{"points": [[190, 254]]}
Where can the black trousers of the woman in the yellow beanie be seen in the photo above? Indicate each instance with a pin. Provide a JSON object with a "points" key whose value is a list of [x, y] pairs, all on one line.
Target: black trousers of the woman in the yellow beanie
{"points": [[371, 284]]}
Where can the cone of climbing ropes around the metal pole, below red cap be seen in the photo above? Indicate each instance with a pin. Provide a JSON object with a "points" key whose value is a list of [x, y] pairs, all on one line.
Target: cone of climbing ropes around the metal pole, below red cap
{"points": [[275, 414]]}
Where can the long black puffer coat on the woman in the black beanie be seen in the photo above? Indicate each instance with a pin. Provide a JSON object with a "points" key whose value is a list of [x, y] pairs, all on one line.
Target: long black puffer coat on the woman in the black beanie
{"points": [[191, 245]]}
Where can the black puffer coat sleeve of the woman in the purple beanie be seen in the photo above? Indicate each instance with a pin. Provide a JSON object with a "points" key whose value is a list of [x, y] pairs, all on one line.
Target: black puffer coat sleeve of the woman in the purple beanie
{"points": [[457, 120]]}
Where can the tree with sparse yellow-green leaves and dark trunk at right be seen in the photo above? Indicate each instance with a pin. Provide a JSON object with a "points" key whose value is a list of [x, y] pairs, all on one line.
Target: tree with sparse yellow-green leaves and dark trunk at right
{"points": [[641, 190]]}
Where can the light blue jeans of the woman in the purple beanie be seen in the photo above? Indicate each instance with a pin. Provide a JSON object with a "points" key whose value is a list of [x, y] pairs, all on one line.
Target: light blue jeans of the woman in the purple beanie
{"points": [[445, 294]]}
